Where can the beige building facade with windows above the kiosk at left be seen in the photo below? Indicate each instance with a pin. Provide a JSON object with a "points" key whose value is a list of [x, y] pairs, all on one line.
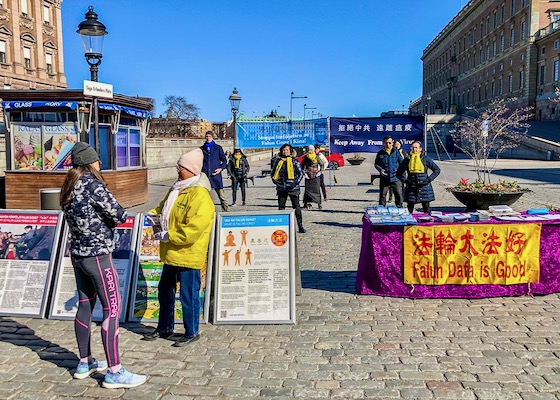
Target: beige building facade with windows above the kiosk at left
{"points": [[31, 54]]}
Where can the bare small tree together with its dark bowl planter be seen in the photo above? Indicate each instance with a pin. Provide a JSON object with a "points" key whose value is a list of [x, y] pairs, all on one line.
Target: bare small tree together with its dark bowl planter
{"points": [[484, 138]]}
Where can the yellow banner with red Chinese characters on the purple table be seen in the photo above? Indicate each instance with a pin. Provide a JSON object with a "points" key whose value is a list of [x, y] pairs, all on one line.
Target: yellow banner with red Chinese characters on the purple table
{"points": [[504, 254]]}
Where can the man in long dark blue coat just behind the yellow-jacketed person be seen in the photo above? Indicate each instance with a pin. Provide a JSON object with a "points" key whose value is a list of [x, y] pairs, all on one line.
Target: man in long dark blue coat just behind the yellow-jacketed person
{"points": [[215, 162]]}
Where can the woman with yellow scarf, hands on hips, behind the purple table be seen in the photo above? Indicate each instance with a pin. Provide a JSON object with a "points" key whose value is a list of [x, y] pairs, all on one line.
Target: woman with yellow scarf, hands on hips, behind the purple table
{"points": [[418, 186]]}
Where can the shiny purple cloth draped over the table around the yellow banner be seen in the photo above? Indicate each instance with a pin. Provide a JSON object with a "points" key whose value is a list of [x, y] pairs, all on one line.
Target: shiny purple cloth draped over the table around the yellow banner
{"points": [[380, 269]]}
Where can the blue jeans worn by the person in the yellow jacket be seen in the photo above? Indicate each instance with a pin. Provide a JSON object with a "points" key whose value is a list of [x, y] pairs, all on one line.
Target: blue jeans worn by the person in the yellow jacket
{"points": [[189, 281]]}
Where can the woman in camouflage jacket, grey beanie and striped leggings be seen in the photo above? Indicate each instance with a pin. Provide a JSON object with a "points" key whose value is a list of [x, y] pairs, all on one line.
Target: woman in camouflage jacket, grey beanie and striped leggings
{"points": [[92, 213]]}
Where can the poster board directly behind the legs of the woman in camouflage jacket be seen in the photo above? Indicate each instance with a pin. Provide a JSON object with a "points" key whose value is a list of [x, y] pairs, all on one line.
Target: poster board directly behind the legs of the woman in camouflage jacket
{"points": [[65, 299]]}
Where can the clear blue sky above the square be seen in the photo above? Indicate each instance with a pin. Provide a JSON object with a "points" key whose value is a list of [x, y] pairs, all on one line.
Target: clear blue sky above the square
{"points": [[350, 57]]}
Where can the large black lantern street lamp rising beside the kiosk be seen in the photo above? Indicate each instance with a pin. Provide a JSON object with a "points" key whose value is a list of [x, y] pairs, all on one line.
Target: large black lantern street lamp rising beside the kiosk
{"points": [[92, 33]]}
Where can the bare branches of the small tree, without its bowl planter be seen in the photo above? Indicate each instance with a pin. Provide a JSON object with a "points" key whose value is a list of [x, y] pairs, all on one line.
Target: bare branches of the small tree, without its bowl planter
{"points": [[488, 134]]}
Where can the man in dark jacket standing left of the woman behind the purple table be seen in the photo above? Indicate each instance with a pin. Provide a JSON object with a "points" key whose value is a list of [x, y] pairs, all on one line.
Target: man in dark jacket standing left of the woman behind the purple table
{"points": [[387, 162]]}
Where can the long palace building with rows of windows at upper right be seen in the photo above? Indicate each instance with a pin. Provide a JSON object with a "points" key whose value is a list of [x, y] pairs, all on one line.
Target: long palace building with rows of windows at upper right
{"points": [[492, 49]]}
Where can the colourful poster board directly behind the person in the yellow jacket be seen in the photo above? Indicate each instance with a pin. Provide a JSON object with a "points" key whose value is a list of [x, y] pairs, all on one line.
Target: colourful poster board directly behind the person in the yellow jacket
{"points": [[144, 297]]}
